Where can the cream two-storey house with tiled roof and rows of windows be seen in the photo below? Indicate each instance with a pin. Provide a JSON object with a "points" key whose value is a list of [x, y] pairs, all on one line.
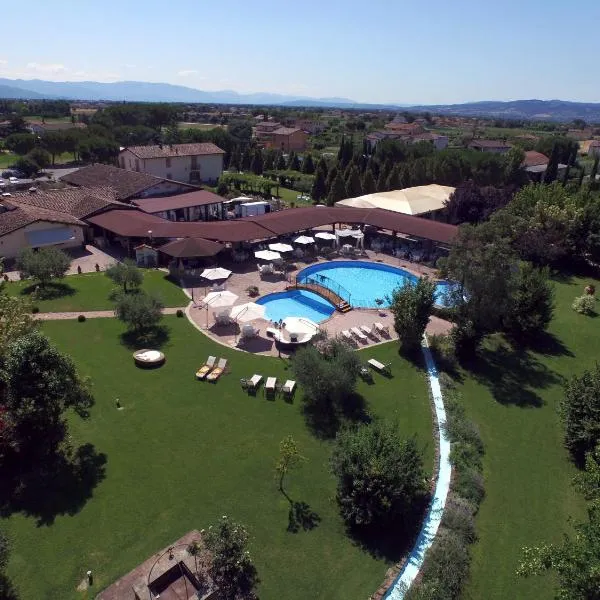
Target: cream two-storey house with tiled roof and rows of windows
{"points": [[189, 163]]}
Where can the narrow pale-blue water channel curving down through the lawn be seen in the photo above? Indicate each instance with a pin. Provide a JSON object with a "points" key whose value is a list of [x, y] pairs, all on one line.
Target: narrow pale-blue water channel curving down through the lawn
{"points": [[436, 510]]}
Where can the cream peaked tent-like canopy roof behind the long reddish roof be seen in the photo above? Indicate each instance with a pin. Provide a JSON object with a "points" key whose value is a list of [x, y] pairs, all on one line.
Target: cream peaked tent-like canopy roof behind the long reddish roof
{"points": [[410, 201]]}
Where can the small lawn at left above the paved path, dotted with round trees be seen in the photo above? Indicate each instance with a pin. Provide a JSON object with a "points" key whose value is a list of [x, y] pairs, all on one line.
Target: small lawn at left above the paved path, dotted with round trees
{"points": [[91, 291]]}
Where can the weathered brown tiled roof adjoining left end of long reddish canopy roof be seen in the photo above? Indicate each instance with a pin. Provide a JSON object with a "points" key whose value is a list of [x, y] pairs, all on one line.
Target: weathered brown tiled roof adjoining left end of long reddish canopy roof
{"points": [[79, 203]]}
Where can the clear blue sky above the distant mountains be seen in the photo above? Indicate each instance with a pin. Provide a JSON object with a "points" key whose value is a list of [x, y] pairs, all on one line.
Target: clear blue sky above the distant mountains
{"points": [[404, 51]]}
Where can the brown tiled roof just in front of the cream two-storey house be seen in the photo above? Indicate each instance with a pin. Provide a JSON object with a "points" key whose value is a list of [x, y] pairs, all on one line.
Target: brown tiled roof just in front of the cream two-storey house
{"points": [[125, 184]]}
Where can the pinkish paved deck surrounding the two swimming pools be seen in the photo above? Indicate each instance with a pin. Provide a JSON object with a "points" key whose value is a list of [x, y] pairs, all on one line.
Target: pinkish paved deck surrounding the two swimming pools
{"points": [[246, 274]]}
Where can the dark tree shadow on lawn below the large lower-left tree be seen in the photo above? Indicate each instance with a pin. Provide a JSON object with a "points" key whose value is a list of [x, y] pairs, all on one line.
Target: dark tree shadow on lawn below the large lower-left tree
{"points": [[60, 487]]}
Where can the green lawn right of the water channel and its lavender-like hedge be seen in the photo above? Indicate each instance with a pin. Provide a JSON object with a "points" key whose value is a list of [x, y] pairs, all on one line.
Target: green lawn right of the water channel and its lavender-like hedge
{"points": [[528, 476]]}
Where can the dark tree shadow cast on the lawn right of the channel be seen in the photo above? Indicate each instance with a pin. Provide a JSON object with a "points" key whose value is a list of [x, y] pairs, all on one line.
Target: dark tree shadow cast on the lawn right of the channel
{"points": [[513, 376]]}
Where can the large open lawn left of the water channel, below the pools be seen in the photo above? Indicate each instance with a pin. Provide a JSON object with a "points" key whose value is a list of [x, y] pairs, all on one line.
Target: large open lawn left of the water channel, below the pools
{"points": [[182, 453]]}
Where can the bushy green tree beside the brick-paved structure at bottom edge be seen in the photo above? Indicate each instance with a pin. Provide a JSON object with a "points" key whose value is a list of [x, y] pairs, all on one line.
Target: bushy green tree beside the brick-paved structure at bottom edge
{"points": [[231, 568]]}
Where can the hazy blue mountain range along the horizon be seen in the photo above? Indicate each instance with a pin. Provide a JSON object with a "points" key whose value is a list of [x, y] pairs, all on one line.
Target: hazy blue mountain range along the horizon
{"points": [[138, 91]]}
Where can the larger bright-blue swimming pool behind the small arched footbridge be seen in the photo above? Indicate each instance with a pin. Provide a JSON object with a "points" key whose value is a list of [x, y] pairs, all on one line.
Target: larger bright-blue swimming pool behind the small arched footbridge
{"points": [[364, 282]]}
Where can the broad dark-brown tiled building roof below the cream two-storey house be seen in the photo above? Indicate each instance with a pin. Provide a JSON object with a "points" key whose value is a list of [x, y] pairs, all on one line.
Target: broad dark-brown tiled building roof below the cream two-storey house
{"points": [[127, 185]]}
